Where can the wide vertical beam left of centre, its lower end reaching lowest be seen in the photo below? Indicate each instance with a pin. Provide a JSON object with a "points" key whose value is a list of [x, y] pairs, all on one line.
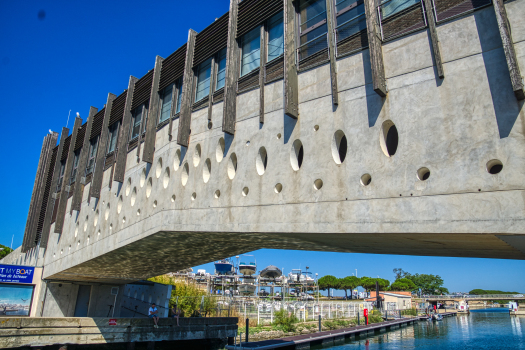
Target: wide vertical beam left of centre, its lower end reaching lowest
{"points": [[232, 72]]}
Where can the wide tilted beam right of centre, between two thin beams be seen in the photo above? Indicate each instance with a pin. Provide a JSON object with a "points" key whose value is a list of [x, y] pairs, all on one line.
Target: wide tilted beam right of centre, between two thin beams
{"points": [[374, 46]]}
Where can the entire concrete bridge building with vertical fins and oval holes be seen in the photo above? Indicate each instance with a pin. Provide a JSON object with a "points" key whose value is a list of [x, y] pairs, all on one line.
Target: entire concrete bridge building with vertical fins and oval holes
{"points": [[389, 143]]}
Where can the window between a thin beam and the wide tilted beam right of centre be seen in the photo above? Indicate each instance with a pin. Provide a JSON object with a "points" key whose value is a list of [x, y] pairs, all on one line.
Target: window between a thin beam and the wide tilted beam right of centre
{"points": [[350, 18]]}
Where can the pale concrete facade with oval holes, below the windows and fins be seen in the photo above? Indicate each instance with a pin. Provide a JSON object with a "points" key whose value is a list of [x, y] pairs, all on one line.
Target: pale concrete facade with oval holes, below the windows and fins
{"points": [[216, 198]]}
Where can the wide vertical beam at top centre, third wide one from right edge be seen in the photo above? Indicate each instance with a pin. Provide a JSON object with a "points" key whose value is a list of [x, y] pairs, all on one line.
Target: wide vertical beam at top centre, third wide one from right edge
{"points": [[291, 89]]}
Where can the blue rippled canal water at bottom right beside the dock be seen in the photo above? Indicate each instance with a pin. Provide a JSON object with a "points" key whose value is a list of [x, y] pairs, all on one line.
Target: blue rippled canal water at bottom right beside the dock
{"points": [[482, 329]]}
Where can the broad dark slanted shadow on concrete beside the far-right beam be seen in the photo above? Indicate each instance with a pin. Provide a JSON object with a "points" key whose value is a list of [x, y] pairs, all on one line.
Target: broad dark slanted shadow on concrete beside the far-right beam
{"points": [[506, 106]]}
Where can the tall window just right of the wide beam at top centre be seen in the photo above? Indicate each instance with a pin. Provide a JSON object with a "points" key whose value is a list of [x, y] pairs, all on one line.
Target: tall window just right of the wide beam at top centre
{"points": [[312, 27]]}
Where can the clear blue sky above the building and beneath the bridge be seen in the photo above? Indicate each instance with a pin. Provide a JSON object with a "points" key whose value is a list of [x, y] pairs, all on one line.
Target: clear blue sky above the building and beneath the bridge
{"points": [[71, 57]]}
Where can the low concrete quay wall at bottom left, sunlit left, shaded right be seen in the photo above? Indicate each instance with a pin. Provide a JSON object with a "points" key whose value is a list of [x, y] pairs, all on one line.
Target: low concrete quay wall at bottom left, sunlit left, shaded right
{"points": [[17, 332]]}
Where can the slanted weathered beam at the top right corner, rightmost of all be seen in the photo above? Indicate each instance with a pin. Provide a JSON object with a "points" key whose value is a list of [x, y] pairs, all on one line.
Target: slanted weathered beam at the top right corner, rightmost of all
{"points": [[508, 47]]}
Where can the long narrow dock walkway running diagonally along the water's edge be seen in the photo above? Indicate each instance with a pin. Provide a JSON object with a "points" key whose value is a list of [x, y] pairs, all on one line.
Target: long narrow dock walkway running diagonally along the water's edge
{"points": [[329, 338]]}
